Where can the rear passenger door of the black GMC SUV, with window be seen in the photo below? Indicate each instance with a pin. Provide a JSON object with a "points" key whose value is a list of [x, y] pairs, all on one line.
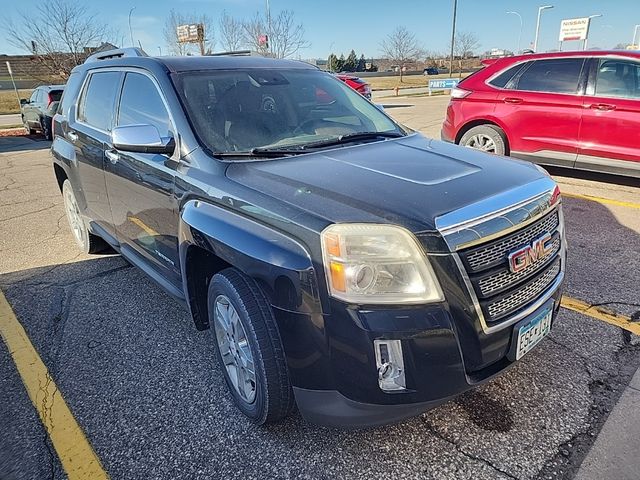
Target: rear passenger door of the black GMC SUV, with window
{"points": [[89, 132]]}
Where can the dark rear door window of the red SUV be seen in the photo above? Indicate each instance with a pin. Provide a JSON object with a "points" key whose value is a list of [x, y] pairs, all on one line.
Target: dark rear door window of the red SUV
{"points": [[556, 76]]}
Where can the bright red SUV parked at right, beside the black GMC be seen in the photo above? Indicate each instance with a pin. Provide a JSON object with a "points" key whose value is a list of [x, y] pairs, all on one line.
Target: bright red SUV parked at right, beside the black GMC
{"points": [[571, 109]]}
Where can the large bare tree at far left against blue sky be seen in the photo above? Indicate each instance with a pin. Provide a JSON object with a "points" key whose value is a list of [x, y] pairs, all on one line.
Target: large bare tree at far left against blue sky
{"points": [[59, 33]]}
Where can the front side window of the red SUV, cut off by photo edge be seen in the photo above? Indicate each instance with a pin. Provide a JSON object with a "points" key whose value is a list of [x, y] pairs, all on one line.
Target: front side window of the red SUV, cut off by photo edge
{"points": [[618, 78]]}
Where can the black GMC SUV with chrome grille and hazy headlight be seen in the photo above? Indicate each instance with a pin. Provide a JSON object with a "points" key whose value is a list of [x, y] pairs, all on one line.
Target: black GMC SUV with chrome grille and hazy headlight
{"points": [[340, 262]]}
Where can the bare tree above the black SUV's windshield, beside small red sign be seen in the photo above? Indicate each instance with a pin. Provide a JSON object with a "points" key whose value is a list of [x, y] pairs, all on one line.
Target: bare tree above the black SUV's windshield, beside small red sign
{"points": [[286, 37]]}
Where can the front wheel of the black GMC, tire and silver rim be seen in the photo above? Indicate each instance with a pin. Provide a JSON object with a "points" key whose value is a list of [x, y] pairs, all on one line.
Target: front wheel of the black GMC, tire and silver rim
{"points": [[244, 333]]}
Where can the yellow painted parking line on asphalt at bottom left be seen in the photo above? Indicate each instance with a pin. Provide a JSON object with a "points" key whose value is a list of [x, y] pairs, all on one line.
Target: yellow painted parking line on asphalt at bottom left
{"points": [[74, 450]]}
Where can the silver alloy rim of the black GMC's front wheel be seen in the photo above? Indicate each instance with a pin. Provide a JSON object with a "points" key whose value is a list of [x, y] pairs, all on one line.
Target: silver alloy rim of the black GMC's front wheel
{"points": [[234, 349]]}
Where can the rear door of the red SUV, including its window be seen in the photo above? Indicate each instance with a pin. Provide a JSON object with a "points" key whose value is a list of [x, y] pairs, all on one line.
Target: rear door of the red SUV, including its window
{"points": [[541, 108]]}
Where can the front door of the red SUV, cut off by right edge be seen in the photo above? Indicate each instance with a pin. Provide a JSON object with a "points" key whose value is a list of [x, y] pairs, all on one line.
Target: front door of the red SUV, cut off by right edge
{"points": [[610, 133]]}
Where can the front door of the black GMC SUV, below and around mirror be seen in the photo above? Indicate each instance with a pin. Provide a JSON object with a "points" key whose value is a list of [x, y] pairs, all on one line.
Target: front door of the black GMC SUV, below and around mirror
{"points": [[141, 185]]}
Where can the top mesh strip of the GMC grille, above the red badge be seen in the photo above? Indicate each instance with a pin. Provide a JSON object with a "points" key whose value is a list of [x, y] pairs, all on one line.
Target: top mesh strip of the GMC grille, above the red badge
{"points": [[487, 255]]}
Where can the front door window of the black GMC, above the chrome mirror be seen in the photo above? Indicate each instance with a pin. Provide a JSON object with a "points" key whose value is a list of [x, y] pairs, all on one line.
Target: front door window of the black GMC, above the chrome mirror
{"points": [[141, 103]]}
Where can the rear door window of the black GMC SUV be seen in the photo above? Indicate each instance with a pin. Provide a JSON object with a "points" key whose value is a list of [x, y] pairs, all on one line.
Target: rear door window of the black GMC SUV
{"points": [[96, 107]]}
